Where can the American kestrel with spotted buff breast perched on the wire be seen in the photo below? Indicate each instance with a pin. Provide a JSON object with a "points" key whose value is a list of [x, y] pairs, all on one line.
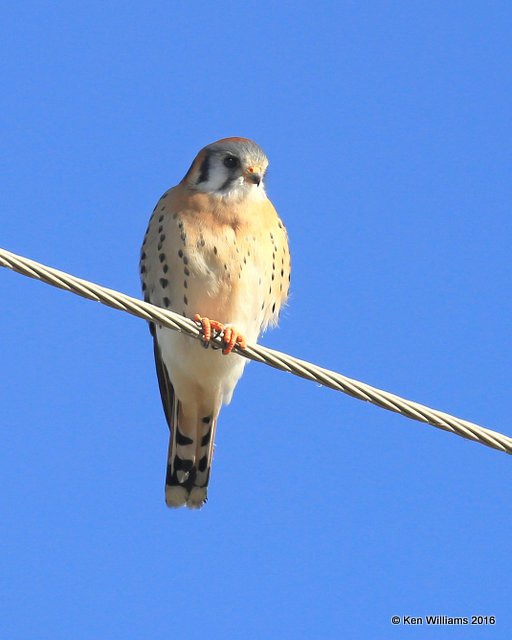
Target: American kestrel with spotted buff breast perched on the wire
{"points": [[217, 252]]}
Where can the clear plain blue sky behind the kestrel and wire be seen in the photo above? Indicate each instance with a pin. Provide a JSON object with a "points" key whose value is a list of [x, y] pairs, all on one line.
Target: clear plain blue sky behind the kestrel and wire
{"points": [[388, 130]]}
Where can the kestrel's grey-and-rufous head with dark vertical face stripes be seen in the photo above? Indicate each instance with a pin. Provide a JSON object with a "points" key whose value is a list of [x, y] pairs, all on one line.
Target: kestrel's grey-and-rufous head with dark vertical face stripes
{"points": [[231, 167]]}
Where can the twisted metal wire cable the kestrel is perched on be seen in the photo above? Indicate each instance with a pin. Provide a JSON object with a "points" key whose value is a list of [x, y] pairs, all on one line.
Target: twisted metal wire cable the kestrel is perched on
{"points": [[275, 359]]}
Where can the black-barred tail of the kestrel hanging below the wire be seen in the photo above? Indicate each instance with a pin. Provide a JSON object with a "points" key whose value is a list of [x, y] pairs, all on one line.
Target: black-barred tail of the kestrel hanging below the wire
{"points": [[190, 457]]}
